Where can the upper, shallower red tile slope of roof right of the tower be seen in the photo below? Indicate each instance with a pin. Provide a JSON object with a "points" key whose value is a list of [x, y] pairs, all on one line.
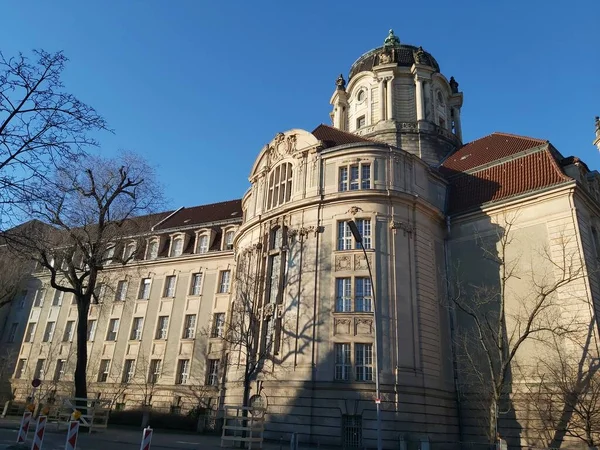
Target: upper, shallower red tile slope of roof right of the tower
{"points": [[486, 150]]}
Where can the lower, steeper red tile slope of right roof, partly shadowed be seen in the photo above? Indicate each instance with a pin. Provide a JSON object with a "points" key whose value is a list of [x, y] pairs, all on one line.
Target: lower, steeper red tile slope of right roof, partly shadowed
{"points": [[528, 173]]}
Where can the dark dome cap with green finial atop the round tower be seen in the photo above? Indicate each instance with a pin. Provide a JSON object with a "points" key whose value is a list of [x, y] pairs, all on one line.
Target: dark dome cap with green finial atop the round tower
{"points": [[393, 52]]}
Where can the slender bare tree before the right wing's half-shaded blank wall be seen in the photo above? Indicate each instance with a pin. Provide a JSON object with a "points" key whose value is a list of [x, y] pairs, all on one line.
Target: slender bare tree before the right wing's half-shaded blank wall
{"points": [[500, 315]]}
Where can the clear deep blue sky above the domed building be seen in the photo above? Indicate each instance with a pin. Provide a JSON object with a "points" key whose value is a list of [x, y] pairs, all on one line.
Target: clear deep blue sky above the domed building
{"points": [[200, 87]]}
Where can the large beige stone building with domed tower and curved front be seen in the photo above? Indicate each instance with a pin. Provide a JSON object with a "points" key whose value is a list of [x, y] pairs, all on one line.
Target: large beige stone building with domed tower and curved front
{"points": [[393, 163]]}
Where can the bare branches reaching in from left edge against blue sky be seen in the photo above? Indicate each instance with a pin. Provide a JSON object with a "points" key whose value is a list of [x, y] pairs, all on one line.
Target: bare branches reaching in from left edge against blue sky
{"points": [[41, 126]]}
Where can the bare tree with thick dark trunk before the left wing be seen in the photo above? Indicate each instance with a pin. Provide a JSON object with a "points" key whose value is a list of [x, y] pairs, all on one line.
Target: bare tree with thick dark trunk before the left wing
{"points": [[93, 215]]}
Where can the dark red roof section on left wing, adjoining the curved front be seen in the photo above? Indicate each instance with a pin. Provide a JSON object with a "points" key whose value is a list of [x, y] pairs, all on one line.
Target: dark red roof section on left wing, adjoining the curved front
{"points": [[214, 212]]}
